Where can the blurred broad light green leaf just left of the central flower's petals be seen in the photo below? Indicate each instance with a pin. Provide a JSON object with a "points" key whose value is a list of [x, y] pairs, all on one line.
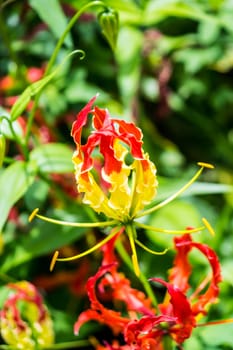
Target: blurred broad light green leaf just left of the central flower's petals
{"points": [[53, 158]]}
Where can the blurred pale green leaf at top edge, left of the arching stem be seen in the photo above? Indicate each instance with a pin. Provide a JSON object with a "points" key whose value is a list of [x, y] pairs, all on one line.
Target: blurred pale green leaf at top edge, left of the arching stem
{"points": [[52, 16]]}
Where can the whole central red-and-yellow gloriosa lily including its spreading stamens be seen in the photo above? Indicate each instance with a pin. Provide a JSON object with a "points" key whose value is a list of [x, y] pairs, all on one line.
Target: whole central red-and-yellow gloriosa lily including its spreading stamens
{"points": [[117, 179]]}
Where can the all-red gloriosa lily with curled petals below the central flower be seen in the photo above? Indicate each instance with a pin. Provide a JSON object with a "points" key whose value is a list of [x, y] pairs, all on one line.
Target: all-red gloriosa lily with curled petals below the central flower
{"points": [[141, 326]]}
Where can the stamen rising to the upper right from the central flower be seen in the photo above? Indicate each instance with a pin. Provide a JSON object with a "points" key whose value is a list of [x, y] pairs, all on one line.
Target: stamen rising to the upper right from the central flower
{"points": [[179, 192]]}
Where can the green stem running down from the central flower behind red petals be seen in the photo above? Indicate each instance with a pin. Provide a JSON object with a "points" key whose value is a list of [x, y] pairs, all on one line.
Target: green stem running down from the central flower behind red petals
{"points": [[146, 285]]}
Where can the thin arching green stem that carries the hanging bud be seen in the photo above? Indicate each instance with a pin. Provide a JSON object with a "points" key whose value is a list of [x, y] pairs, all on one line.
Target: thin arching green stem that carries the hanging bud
{"points": [[54, 56]]}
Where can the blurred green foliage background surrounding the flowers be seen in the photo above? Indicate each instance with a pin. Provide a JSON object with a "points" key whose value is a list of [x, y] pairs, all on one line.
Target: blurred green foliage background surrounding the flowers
{"points": [[171, 72]]}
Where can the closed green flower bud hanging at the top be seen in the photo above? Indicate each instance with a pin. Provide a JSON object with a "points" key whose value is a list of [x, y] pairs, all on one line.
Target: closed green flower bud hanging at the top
{"points": [[109, 22]]}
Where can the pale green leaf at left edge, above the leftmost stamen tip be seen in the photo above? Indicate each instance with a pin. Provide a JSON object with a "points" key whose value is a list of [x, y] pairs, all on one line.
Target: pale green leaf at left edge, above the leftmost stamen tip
{"points": [[14, 182]]}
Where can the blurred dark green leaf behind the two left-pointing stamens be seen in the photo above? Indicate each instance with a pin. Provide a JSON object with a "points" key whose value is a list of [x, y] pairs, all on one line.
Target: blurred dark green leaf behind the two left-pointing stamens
{"points": [[44, 238]]}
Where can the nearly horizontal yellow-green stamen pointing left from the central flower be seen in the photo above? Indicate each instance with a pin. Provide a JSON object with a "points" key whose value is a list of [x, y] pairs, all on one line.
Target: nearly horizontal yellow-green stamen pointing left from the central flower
{"points": [[72, 224]]}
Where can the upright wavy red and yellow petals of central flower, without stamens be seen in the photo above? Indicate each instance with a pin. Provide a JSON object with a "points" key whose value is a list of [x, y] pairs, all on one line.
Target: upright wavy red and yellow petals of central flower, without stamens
{"points": [[130, 185]]}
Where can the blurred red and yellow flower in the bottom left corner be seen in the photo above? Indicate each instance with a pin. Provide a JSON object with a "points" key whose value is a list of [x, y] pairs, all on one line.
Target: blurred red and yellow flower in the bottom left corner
{"points": [[25, 322]]}
